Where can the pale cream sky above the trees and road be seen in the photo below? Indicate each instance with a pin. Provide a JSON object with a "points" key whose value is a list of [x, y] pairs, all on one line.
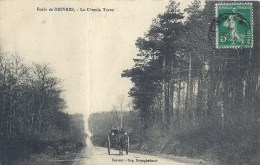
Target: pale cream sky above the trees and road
{"points": [[87, 50]]}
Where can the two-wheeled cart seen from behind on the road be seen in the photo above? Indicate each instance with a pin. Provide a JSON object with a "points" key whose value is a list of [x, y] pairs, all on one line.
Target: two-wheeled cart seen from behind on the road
{"points": [[118, 139]]}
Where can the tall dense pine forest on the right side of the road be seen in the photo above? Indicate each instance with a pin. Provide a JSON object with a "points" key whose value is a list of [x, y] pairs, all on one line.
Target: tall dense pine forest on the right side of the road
{"points": [[191, 98]]}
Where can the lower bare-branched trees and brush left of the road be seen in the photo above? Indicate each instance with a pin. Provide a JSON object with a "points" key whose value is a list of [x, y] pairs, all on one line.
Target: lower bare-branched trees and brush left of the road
{"points": [[32, 120]]}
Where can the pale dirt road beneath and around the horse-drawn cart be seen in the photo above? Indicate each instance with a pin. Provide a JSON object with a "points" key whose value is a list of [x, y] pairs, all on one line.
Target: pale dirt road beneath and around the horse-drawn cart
{"points": [[92, 155]]}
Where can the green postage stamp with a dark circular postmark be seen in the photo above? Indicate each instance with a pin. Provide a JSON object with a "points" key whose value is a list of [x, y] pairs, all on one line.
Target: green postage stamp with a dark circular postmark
{"points": [[234, 25]]}
